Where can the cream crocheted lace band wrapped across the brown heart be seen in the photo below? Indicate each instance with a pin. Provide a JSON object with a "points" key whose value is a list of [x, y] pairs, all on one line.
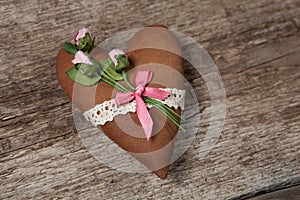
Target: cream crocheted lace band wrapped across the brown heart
{"points": [[106, 111]]}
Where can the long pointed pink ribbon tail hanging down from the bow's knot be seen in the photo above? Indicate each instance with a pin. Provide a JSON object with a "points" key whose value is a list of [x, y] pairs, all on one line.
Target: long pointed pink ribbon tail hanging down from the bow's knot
{"points": [[144, 116]]}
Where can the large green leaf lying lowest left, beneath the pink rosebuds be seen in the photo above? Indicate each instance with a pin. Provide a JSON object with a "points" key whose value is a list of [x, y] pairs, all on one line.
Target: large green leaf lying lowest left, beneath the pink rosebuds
{"points": [[78, 77]]}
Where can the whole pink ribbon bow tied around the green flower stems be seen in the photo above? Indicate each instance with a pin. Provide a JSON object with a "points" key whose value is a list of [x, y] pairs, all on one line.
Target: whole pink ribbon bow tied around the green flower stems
{"points": [[143, 77]]}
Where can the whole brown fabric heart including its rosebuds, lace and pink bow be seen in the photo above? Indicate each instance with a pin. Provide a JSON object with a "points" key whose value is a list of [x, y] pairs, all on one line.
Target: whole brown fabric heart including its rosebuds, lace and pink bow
{"points": [[153, 68]]}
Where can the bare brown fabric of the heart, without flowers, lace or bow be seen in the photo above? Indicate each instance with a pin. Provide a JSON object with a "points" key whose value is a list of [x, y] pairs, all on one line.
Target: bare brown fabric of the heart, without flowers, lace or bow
{"points": [[154, 48]]}
